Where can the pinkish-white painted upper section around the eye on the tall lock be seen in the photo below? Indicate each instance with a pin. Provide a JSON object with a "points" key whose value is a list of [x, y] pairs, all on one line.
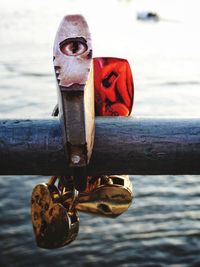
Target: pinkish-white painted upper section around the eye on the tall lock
{"points": [[72, 47]]}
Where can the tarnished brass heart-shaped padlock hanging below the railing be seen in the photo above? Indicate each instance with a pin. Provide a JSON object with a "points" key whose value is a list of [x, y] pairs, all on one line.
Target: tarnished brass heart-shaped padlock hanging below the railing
{"points": [[55, 225]]}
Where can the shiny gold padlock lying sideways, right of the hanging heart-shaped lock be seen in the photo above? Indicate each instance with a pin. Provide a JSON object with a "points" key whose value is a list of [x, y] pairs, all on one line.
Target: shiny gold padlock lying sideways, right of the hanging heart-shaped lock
{"points": [[107, 196]]}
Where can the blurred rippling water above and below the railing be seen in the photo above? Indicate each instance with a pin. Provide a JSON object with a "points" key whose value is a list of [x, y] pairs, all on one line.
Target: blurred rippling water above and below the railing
{"points": [[162, 228]]}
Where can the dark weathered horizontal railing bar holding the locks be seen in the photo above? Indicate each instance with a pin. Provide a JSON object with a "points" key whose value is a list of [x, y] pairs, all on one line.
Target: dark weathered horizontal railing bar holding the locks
{"points": [[122, 145]]}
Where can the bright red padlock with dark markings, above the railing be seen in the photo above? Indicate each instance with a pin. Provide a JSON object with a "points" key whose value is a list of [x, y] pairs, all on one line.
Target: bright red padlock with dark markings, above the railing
{"points": [[113, 87]]}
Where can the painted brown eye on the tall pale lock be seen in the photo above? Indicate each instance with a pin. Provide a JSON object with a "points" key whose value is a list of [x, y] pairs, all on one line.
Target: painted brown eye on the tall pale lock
{"points": [[73, 46]]}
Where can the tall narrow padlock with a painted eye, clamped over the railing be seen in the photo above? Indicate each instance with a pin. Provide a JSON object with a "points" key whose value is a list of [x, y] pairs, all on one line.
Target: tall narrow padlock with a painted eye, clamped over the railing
{"points": [[72, 58]]}
